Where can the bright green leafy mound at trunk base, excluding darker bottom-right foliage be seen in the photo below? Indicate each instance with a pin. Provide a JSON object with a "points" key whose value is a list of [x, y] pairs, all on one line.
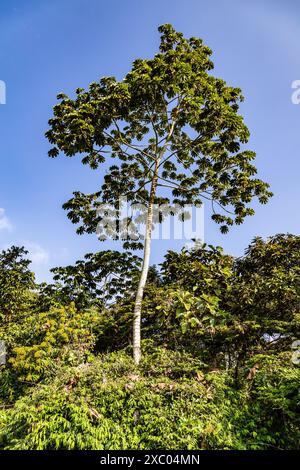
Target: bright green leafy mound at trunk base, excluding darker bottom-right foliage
{"points": [[109, 404]]}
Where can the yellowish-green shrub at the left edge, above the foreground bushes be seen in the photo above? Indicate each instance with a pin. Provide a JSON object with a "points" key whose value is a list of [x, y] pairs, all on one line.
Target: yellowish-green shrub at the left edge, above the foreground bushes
{"points": [[39, 344]]}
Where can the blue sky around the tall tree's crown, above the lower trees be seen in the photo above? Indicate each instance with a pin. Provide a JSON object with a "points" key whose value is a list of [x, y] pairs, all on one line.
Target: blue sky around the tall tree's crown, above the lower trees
{"points": [[59, 45]]}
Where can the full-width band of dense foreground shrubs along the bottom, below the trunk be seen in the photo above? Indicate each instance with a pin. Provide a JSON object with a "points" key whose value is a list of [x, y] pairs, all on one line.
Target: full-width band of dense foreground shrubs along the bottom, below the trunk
{"points": [[172, 401]]}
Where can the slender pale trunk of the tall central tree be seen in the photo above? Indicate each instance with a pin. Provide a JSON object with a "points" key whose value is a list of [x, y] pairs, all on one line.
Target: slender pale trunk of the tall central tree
{"points": [[144, 273]]}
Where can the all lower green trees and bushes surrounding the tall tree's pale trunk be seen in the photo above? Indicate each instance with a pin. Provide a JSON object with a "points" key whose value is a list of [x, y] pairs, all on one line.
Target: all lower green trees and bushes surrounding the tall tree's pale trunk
{"points": [[217, 370]]}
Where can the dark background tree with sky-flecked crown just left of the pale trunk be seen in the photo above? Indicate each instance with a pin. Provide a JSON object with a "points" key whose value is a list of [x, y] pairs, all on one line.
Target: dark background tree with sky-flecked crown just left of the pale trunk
{"points": [[98, 280]]}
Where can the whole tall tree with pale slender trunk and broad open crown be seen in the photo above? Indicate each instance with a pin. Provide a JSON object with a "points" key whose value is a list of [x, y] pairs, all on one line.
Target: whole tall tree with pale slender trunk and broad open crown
{"points": [[175, 136]]}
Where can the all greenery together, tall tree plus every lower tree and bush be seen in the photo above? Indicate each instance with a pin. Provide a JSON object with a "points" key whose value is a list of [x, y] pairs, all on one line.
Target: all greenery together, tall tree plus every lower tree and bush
{"points": [[218, 369]]}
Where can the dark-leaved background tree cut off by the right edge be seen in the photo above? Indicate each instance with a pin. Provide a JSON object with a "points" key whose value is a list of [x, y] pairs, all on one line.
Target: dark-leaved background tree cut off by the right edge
{"points": [[267, 286]]}
